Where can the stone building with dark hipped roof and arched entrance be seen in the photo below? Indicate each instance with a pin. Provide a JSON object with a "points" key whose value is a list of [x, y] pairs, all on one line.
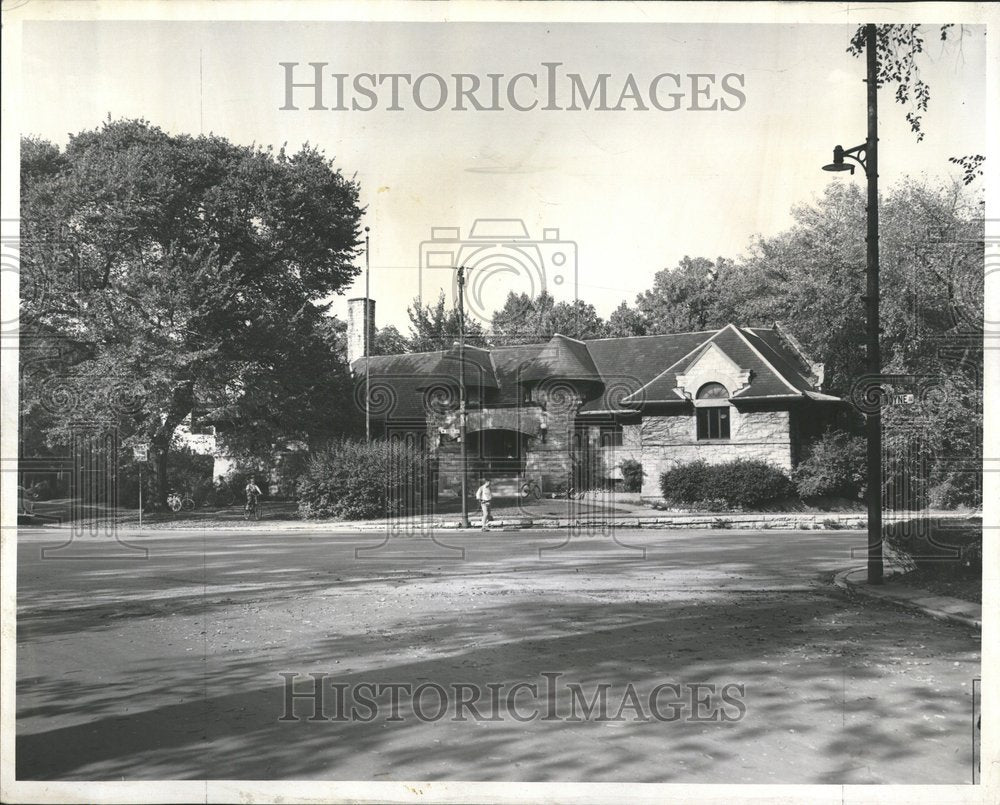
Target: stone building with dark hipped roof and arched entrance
{"points": [[568, 412]]}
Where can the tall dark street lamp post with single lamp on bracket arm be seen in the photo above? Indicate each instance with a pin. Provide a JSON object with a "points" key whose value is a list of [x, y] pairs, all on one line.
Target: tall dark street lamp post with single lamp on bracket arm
{"points": [[866, 155]]}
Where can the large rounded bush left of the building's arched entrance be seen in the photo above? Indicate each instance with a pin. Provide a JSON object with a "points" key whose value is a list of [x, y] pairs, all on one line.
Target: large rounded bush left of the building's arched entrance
{"points": [[353, 480]]}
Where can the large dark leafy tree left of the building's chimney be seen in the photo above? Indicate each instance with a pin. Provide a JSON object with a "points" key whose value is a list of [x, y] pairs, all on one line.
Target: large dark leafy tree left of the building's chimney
{"points": [[168, 273]]}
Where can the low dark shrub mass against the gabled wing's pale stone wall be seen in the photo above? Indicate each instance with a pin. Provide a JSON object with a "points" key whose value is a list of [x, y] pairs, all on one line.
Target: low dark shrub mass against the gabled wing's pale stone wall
{"points": [[743, 483]]}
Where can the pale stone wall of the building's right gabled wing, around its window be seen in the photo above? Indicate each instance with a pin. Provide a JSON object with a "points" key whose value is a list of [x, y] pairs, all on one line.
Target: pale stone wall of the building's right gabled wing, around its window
{"points": [[671, 440]]}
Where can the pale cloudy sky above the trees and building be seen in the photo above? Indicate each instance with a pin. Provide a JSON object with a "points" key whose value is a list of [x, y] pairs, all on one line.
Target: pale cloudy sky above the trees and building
{"points": [[630, 192]]}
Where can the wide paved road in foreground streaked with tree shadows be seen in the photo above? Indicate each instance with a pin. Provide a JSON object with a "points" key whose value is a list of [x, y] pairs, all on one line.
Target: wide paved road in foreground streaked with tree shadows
{"points": [[169, 666]]}
